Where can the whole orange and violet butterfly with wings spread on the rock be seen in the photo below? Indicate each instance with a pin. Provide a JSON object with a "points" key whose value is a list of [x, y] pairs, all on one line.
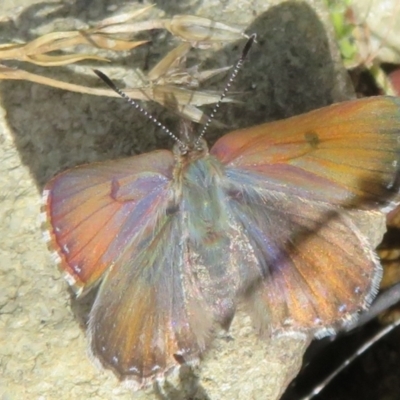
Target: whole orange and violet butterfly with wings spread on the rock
{"points": [[176, 239]]}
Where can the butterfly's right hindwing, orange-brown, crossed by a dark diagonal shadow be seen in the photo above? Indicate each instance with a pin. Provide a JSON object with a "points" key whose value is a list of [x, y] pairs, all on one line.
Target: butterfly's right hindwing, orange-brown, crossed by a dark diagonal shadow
{"points": [[316, 269]]}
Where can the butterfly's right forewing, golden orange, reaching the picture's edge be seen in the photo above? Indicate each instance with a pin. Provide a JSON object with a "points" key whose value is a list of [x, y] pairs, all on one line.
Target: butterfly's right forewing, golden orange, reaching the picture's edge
{"points": [[346, 154]]}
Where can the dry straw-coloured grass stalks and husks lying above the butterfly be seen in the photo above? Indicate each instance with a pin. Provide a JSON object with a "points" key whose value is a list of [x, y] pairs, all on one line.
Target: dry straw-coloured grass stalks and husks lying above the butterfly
{"points": [[114, 33]]}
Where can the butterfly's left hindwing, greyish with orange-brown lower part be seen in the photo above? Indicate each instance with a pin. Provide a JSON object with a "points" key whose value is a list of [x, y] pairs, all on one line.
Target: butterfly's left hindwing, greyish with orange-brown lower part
{"points": [[145, 313]]}
